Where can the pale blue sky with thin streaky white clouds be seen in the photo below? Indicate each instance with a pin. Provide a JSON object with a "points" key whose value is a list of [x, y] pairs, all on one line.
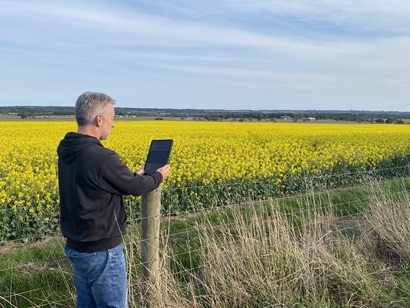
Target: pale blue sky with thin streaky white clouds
{"points": [[213, 54]]}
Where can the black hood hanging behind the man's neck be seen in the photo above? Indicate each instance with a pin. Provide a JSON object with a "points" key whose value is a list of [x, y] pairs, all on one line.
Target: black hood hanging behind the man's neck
{"points": [[74, 143]]}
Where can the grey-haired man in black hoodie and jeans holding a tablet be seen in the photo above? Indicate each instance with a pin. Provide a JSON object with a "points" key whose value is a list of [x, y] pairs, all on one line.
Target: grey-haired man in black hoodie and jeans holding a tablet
{"points": [[92, 180]]}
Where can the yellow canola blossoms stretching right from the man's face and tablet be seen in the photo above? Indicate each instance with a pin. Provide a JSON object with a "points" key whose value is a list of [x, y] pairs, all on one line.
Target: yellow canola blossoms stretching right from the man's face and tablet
{"points": [[208, 152]]}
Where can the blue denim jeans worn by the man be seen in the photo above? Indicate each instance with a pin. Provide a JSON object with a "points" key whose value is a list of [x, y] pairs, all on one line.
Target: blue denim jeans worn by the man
{"points": [[100, 277]]}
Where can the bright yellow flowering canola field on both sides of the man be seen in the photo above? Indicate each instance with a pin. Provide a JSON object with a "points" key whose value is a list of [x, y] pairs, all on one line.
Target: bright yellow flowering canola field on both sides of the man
{"points": [[203, 153]]}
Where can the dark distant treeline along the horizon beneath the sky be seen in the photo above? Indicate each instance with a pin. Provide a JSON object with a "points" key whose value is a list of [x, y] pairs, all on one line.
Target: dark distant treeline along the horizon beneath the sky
{"points": [[219, 115]]}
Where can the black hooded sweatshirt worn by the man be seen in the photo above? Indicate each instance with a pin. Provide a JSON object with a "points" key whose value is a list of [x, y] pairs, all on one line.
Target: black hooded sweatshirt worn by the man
{"points": [[92, 180]]}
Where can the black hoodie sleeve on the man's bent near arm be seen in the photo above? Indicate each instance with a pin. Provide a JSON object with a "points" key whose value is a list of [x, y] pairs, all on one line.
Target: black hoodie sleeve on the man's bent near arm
{"points": [[117, 178]]}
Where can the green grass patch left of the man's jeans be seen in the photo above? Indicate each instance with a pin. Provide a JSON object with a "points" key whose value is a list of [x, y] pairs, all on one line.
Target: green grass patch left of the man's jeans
{"points": [[35, 275]]}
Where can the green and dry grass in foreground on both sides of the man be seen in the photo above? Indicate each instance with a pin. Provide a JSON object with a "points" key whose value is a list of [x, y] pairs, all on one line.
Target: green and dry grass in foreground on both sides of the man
{"points": [[340, 248]]}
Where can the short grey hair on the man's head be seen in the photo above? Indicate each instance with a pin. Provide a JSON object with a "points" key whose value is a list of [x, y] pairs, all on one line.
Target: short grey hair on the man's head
{"points": [[89, 105]]}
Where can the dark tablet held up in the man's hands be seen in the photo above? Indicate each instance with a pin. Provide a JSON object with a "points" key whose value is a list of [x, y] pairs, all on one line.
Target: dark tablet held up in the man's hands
{"points": [[158, 155]]}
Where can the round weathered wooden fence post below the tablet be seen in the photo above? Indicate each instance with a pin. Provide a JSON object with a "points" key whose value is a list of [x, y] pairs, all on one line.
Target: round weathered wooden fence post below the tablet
{"points": [[150, 223]]}
